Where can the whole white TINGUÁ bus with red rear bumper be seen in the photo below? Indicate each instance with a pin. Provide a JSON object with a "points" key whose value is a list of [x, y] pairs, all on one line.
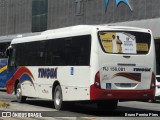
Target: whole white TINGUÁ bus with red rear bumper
{"points": [[100, 64]]}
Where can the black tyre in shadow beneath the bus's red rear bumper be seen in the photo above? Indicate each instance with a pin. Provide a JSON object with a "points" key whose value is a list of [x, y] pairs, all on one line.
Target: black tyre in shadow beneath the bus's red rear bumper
{"points": [[107, 105]]}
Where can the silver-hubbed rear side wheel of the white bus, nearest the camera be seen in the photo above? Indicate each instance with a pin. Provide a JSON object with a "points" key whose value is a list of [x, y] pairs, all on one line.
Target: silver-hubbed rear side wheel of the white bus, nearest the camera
{"points": [[58, 100]]}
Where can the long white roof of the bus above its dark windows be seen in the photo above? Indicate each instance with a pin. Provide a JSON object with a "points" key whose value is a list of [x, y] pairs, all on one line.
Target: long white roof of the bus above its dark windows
{"points": [[72, 31]]}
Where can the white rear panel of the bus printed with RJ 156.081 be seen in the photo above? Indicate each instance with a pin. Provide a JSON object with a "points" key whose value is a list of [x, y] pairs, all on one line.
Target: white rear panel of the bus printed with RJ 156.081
{"points": [[130, 72]]}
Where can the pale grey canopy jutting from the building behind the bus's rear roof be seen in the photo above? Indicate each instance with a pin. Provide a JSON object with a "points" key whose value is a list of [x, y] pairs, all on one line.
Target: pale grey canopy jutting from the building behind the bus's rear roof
{"points": [[153, 24]]}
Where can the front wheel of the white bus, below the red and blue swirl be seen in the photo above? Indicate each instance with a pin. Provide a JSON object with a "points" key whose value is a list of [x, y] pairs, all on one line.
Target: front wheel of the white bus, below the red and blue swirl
{"points": [[19, 96]]}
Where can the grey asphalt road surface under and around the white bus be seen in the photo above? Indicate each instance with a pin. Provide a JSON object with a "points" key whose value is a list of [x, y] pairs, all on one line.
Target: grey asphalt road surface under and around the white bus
{"points": [[44, 110]]}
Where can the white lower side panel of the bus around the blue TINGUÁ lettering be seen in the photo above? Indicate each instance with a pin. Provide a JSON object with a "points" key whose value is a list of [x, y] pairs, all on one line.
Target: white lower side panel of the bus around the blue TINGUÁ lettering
{"points": [[74, 82]]}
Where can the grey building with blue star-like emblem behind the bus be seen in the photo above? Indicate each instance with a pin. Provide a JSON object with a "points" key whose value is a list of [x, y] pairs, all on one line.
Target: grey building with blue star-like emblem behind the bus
{"points": [[30, 16]]}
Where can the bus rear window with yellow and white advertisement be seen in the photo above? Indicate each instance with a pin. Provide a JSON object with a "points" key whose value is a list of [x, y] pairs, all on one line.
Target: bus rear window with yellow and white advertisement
{"points": [[125, 42]]}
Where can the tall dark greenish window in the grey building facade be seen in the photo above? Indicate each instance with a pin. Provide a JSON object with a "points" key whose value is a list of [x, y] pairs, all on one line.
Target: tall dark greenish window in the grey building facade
{"points": [[39, 15]]}
